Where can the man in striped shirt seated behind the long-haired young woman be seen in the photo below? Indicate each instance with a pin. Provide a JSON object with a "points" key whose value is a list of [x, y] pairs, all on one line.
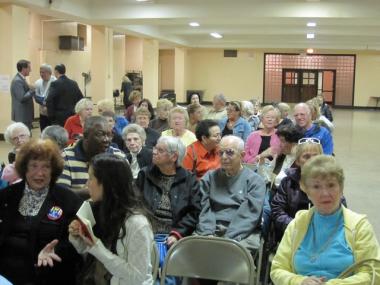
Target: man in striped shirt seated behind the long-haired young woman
{"points": [[96, 139]]}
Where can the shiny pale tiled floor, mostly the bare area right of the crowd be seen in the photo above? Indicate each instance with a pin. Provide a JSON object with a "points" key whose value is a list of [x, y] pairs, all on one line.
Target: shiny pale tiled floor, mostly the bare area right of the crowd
{"points": [[357, 147]]}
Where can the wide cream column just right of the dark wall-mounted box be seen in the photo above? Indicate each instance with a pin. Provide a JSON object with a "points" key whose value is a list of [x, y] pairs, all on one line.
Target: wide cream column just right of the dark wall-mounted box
{"points": [[101, 85]]}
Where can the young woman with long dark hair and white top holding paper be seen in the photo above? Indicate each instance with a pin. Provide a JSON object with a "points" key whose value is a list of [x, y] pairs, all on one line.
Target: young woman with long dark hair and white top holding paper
{"points": [[122, 252]]}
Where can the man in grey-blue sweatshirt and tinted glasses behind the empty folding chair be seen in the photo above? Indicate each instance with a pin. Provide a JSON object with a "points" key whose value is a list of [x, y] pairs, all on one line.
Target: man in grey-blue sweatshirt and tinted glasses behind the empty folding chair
{"points": [[232, 198]]}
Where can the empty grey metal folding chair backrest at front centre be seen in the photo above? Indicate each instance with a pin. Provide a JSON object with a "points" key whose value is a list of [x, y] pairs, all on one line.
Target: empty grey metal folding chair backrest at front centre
{"points": [[211, 258]]}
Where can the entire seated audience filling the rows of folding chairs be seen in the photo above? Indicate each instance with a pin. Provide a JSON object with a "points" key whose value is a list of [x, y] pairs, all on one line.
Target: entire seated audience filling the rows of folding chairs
{"points": [[235, 171]]}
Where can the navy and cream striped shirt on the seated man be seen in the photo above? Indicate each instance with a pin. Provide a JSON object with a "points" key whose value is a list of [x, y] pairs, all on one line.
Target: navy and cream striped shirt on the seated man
{"points": [[75, 170]]}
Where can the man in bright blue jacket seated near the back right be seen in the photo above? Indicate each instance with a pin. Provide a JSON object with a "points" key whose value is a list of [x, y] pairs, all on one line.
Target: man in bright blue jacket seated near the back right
{"points": [[302, 116]]}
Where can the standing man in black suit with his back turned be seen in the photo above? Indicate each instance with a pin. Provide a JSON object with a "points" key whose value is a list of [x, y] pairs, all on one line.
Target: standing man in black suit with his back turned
{"points": [[64, 93]]}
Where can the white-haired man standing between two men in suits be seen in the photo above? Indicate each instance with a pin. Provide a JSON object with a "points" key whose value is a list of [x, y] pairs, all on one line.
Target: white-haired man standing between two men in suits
{"points": [[42, 88]]}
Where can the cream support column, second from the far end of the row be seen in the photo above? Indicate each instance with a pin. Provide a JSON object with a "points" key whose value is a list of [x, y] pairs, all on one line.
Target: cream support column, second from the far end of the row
{"points": [[150, 70]]}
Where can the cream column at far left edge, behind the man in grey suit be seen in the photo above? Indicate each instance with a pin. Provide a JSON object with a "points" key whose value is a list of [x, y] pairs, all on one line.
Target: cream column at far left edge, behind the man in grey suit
{"points": [[14, 44]]}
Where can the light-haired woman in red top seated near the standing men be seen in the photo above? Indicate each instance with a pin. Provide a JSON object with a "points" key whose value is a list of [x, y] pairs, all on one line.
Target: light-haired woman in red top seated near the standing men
{"points": [[74, 124]]}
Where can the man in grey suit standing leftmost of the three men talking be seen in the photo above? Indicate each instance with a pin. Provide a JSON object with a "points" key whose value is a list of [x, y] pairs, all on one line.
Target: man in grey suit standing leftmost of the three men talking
{"points": [[22, 95]]}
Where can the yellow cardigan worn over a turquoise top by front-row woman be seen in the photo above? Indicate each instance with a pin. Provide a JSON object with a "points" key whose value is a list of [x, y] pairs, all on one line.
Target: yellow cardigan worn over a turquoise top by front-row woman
{"points": [[360, 238]]}
